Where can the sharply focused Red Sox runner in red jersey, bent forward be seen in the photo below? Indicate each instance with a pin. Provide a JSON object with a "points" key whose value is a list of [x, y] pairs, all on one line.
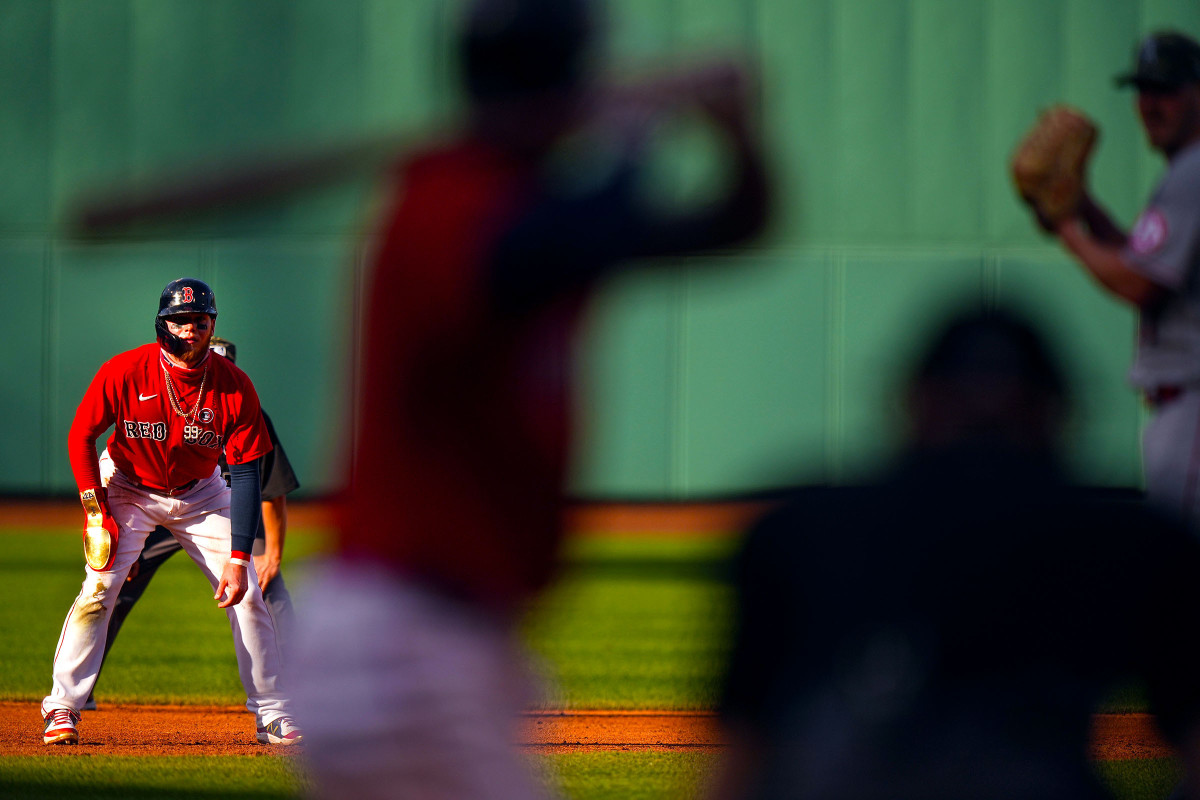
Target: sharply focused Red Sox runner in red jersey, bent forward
{"points": [[173, 407]]}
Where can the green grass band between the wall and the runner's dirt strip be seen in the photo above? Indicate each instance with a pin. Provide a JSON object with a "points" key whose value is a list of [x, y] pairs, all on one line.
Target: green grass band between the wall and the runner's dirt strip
{"points": [[638, 625]]}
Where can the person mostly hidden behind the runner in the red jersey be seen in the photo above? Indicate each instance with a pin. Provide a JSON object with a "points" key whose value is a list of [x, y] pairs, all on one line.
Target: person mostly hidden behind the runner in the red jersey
{"points": [[279, 480]]}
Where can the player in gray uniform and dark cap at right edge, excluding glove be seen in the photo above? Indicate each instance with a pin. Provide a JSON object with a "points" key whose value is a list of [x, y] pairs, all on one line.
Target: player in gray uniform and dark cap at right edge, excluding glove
{"points": [[1156, 268]]}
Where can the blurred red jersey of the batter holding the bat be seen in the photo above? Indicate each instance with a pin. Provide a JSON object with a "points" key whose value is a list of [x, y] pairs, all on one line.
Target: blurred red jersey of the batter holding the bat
{"points": [[461, 446]]}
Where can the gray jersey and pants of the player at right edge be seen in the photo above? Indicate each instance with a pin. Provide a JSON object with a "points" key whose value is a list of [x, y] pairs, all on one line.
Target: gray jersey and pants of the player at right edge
{"points": [[1165, 246]]}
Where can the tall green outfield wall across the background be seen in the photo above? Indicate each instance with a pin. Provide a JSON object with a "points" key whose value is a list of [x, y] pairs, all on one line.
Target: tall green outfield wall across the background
{"points": [[890, 124]]}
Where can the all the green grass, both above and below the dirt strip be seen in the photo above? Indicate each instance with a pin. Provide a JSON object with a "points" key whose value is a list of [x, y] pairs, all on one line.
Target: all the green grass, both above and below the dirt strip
{"points": [[638, 623]]}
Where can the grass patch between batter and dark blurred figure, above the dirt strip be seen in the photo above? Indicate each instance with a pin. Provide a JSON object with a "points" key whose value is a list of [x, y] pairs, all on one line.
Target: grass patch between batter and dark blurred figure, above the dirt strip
{"points": [[638, 624]]}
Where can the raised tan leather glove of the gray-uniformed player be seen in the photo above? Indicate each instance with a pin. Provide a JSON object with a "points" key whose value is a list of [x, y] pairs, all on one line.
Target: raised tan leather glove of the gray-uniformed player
{"points": [[1051, 164]]}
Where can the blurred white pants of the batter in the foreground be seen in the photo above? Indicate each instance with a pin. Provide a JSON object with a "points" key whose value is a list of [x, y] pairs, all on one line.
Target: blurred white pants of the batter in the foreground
{"points": [[407, 694]]}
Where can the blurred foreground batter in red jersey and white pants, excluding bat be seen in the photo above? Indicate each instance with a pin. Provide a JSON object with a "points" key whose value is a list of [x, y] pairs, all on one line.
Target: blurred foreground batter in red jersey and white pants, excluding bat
{"points": [[410, 678]]}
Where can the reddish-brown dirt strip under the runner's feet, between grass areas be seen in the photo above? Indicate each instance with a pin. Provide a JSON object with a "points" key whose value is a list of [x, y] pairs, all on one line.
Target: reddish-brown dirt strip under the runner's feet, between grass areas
{"points": [[230, 731]]}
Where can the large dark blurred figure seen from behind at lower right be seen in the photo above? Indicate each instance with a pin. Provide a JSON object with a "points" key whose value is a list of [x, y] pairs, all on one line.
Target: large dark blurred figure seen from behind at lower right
{"points": [[950, 630]]}
